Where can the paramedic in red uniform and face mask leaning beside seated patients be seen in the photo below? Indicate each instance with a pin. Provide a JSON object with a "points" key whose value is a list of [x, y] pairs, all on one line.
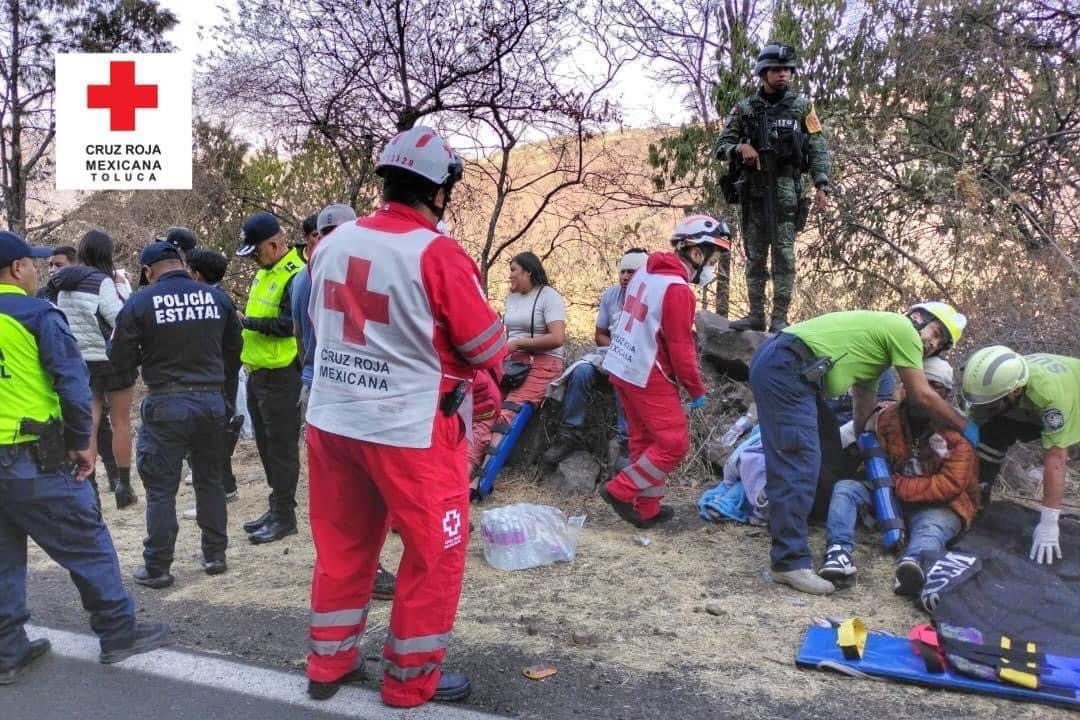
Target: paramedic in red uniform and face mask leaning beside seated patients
{"points": [[652, 355]]}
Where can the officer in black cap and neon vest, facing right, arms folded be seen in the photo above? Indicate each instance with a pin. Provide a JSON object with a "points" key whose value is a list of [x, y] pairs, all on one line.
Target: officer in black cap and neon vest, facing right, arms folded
{"points": [[274, 382]]}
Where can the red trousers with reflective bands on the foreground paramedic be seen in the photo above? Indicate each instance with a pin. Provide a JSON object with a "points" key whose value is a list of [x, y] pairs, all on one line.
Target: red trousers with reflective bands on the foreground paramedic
{"points": [[357, 491]]}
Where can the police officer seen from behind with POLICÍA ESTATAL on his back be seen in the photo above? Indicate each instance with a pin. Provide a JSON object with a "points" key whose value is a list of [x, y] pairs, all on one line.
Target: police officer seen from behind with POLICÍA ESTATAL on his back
{"points": [[186, 336]]}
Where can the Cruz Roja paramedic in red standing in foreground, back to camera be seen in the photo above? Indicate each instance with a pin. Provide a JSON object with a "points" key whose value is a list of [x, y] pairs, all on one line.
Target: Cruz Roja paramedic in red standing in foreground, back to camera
{"points": [[401, 329]]}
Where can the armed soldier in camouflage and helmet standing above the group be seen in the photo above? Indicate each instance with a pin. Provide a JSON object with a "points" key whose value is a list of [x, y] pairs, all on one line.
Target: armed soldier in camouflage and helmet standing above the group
{"points": [[794, 145]]}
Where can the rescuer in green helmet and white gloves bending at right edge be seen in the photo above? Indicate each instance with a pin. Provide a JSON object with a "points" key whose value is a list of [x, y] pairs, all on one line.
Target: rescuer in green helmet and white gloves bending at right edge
{"points": [[1021, 398]]}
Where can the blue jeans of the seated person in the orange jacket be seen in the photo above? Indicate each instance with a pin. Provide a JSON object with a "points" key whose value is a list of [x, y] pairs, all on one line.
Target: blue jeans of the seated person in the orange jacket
{"points": [[929, 527]]}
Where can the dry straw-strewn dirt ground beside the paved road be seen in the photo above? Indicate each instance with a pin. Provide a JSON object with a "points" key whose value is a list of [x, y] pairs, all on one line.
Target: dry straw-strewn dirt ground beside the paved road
{"points": [[620, 610]]}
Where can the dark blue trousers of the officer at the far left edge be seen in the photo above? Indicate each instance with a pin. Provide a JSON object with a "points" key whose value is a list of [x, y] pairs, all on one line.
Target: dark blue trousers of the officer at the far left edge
{"points": [[62, 517]]}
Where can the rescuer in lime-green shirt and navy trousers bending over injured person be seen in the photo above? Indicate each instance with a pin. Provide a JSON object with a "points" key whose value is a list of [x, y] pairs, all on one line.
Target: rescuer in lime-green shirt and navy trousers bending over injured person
{"points": [[794, 372]]}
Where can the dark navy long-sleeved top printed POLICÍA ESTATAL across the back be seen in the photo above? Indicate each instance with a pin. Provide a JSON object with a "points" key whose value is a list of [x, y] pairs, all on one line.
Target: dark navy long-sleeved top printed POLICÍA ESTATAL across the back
{"points": [[181, 332]]}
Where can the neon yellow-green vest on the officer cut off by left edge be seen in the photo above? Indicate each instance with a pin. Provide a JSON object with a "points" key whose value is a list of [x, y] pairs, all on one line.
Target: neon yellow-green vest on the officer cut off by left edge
{"points": [[26, 390]]}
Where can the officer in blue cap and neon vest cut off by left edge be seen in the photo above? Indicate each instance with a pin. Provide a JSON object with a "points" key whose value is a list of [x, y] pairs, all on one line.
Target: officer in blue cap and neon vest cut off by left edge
{"points": [[45, 460]]}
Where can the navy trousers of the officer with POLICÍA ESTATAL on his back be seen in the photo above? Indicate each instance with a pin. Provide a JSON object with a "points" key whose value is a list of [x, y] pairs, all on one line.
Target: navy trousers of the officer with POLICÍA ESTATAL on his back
{"points": [[174, 426]]}
